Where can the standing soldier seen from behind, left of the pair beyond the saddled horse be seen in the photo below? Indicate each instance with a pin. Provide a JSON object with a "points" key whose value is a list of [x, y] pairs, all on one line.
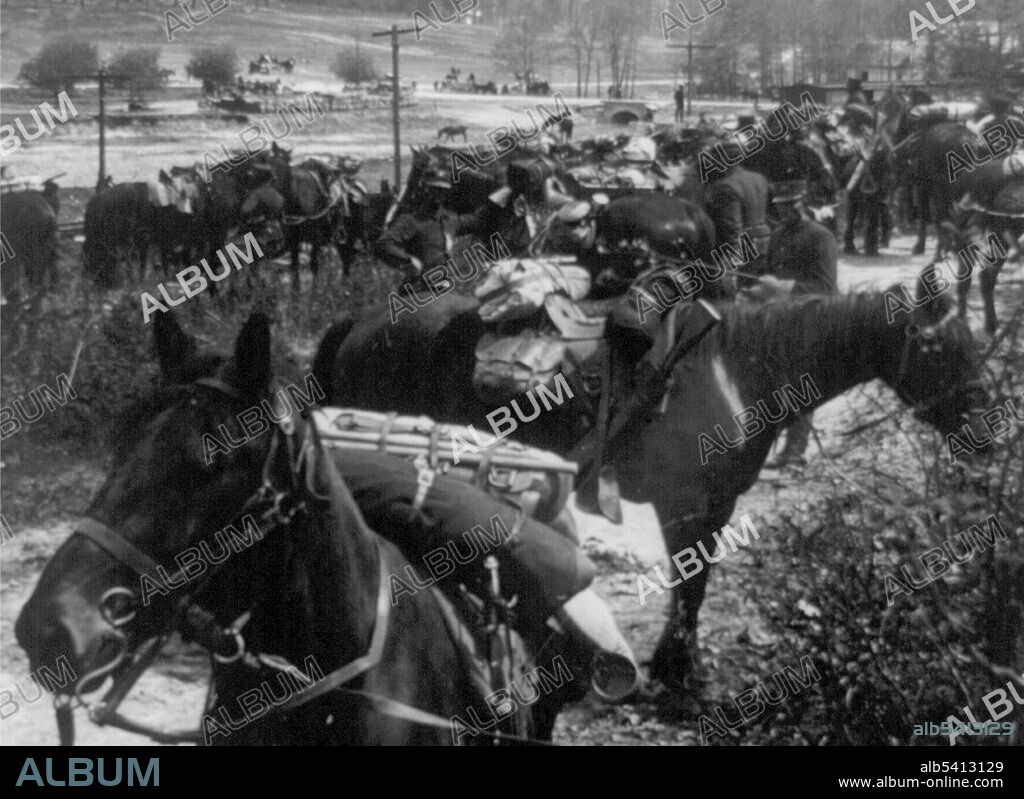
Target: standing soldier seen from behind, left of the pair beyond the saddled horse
{"points": [[738, 204]]}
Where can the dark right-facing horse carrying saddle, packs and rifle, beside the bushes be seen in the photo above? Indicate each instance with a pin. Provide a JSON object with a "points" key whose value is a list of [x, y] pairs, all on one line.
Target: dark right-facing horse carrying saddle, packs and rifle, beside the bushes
{"points": [[423, 364]]}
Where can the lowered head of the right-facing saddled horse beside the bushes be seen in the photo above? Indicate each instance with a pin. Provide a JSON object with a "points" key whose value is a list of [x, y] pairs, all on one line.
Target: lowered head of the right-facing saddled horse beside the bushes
{"points": [[937, 369]]}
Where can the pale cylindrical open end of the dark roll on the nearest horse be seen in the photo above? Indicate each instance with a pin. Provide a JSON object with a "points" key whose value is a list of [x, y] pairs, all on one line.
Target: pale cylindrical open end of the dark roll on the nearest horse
{"points": [[617, 676]]}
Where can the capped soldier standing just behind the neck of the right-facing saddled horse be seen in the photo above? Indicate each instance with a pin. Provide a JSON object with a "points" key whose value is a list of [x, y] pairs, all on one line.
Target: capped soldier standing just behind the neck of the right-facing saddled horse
{"points": [[805, 253]]}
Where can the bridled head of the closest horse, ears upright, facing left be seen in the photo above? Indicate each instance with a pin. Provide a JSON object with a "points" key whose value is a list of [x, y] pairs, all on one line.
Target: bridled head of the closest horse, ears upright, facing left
{"points": [[185, 469]]}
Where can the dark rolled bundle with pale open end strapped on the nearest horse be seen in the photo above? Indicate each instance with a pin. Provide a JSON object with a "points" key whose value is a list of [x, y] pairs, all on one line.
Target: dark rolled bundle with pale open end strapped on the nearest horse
{"points": [[548, 572]]}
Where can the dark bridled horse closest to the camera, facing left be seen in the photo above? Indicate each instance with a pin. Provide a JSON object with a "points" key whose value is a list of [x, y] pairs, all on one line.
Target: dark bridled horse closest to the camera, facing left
{"points": [[310, 577]]}
